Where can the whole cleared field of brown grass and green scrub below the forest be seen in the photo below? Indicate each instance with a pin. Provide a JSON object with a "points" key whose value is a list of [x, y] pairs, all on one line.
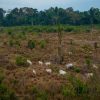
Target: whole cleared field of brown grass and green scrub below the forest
{"points": [[80, 48]]}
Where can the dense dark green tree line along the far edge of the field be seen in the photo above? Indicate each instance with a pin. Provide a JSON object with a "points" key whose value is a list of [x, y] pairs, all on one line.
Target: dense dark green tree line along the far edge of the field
{"points": [[30, 16]]}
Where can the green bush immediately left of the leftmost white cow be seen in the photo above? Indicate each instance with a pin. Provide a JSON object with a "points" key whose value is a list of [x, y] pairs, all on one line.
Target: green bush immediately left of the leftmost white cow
{"points": [[21, 61]]}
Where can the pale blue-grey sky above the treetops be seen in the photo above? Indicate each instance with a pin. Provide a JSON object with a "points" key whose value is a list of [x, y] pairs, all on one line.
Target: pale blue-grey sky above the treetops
{"points": [[45, 4]]}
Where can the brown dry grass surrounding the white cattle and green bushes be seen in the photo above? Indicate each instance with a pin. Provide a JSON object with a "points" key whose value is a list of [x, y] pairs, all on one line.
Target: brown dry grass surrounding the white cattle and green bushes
{"points": [[21, 79]]}
